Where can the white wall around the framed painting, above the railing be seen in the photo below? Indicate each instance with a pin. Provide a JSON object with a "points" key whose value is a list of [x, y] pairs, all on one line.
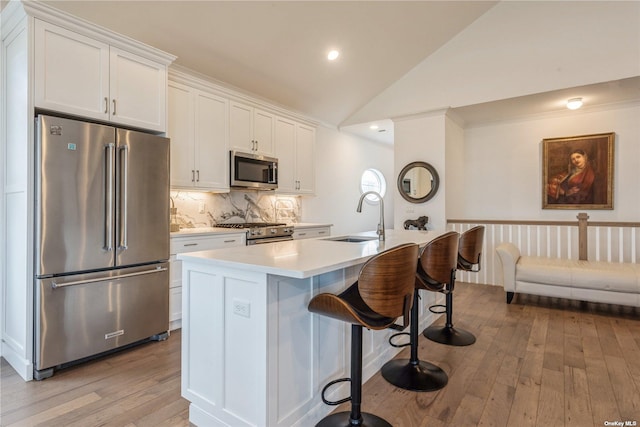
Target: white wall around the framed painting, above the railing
{"points": [[503, 165]]}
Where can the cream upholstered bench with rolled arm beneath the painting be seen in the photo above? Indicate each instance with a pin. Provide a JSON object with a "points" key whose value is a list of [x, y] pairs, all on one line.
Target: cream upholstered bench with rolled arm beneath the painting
{"points": [[595, 281]]}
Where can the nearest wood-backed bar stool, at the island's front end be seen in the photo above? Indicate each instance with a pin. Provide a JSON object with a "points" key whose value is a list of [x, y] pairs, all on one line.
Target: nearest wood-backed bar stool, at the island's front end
{"points": [[382, 293]]}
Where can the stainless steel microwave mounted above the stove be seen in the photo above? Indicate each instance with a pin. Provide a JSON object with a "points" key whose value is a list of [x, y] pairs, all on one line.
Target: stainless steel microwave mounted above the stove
{"points": [[253, 171]]}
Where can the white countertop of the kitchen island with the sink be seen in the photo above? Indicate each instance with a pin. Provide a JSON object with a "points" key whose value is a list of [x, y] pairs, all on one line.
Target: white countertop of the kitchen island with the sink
{"points": [[308, 257]]}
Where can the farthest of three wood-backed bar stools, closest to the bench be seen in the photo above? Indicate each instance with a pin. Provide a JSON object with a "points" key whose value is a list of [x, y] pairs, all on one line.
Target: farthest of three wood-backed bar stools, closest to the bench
{"points": [[469, 251]]}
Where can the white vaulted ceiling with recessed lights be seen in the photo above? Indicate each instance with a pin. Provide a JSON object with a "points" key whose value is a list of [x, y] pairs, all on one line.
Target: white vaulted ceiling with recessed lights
{"points": [[396, 57]]}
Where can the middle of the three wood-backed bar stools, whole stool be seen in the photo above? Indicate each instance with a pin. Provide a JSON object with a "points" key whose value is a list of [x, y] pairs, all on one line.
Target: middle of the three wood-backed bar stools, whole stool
{"points": [[436, 268]]}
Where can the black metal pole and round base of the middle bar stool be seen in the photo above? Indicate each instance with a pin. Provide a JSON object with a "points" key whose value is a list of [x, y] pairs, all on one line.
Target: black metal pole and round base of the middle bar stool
{"points": [[414, 374]]}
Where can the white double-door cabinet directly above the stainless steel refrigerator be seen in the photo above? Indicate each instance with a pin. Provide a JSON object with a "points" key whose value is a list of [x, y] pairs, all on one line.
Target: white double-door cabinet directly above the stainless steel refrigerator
{"points": [[79, 75]]}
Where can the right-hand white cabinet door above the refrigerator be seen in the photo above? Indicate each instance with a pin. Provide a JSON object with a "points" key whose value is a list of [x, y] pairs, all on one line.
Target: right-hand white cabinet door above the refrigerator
{"points": [[138, 91]]}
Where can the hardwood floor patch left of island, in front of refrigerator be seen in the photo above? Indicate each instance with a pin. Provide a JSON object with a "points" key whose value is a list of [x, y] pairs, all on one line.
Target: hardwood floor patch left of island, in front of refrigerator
{"points": [[136, 387]]}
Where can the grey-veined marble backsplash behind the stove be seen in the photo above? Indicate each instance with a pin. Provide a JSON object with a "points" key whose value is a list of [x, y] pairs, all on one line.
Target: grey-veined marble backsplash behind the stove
{"points": [[196, 209]]}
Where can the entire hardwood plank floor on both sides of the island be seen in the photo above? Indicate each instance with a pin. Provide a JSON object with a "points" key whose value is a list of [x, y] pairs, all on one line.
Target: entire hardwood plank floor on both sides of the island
{"points": [[536, 362]]}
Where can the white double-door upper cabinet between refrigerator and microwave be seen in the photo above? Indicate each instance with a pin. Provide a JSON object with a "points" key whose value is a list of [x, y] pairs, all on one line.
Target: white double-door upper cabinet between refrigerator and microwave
{"points": [[199, 134]]}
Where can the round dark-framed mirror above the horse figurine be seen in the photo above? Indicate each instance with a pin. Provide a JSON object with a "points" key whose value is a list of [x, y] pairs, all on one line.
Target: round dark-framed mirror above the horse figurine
{"points": [[418, 182]]}
